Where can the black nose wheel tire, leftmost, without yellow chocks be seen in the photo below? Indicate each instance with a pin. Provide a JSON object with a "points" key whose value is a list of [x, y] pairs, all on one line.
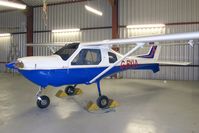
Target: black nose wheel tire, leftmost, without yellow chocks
{"points": [[43, 102]]}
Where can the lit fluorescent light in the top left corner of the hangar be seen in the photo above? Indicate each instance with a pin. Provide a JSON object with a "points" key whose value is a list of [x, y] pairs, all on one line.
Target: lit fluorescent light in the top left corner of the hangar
{"points": [[12, 4]]}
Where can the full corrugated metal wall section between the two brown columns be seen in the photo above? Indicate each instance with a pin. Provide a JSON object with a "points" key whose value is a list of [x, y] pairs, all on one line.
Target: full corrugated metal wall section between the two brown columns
{"points": [[71, 15]]}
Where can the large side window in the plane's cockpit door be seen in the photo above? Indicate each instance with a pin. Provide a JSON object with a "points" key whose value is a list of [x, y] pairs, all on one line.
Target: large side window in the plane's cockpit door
{"points": [[87, 57]]}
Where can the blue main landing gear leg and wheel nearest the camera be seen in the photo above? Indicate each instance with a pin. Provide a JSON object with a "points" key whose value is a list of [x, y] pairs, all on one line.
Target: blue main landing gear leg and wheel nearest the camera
{"points": [[102, 100]]}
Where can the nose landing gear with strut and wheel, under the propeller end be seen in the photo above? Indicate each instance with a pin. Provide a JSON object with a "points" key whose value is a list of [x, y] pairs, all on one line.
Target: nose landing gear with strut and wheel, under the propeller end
{"points": [[42, 101]]}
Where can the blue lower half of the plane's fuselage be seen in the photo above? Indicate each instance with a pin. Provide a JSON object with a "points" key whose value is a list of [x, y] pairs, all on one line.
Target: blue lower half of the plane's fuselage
{"points": [[59, 77]]}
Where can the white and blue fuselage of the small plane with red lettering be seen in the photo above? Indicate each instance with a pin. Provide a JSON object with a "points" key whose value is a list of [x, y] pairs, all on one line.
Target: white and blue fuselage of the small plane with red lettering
{"points": [[77, 64]]}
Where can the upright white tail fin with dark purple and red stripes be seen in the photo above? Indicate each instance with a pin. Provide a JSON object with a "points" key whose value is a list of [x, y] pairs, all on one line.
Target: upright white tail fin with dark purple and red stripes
{"points": [[153, 53]]}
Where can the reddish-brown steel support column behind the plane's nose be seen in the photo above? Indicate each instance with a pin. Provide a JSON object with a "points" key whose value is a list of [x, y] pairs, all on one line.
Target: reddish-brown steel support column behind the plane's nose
{"points": [[29, 30]]}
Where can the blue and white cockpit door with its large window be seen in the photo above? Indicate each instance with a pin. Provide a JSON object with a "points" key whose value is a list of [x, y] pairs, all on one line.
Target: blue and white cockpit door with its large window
{"points": [[85, 65]]}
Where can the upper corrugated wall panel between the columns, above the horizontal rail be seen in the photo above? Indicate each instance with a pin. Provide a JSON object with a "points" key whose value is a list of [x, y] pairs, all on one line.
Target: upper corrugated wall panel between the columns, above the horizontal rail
{"points": [[73, 15]]}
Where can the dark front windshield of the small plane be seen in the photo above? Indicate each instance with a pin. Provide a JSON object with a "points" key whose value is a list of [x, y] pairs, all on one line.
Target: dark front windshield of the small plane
{"points": [[66, 51]]}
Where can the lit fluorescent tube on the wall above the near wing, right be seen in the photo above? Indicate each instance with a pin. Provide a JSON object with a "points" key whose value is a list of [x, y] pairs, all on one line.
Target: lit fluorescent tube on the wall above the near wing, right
{"points": [[146, 26]]}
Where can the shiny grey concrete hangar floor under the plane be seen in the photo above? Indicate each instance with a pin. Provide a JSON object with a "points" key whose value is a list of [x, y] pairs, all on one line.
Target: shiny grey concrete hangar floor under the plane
{"points": [[146, 106]]}
